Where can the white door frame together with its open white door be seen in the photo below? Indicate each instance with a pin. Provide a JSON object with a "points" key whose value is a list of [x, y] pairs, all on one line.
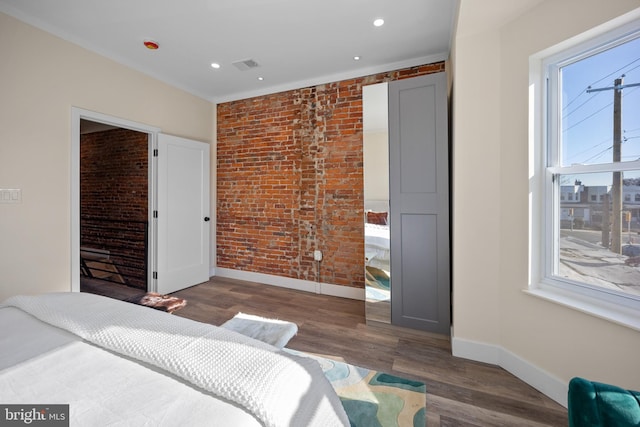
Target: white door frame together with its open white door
{"points": [[178, 208]]}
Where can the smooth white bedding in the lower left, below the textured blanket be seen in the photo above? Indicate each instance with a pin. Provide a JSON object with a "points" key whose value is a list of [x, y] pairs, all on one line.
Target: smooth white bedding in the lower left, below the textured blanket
{"points": [[100, 387]]}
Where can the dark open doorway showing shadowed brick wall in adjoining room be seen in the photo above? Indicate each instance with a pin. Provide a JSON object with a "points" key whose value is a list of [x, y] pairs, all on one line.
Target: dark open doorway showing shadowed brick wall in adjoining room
{"points": [[114, 200]]}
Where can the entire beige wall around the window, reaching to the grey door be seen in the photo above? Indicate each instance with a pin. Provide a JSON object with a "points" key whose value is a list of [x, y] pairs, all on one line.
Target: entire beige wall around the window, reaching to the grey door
{"points": [[491, 242]]}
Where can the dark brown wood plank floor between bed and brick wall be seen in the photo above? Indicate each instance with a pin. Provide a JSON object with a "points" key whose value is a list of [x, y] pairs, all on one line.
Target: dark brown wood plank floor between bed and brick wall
{"points": [[460, 392]]}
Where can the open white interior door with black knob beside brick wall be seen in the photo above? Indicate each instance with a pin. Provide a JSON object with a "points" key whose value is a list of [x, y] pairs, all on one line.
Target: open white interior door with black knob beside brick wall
{"points": [[182, 214]]}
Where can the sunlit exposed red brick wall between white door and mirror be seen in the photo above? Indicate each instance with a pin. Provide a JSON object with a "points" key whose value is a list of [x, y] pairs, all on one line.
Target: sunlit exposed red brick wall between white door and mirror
{"points": [[290, 180]]}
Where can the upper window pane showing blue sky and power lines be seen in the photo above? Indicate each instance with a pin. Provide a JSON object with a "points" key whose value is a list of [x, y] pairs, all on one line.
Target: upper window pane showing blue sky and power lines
{"points": [[587, 113]]}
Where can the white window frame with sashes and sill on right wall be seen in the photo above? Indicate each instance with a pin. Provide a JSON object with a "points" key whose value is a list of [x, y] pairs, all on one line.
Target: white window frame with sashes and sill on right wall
{"points": [[544, 213]]}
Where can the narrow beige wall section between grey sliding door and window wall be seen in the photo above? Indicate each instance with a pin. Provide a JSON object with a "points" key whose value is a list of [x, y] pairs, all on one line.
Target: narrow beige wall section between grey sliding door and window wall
{"points": [[476, 172]]}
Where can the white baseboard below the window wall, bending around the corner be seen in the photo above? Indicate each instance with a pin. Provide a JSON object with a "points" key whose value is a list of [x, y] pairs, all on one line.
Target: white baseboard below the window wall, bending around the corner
{"points": [[537, 378]]}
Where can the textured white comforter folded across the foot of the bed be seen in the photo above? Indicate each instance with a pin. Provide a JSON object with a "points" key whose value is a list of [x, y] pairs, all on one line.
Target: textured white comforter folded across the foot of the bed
{"points": [[279, 389]]}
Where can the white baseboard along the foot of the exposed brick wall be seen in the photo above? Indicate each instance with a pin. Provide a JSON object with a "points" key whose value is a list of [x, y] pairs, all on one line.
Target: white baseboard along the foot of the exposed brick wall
{"points": [[290, 283]]}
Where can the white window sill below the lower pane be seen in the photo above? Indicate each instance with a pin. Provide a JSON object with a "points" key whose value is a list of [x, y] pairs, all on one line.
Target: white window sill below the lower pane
{"points": [[624, 316]]}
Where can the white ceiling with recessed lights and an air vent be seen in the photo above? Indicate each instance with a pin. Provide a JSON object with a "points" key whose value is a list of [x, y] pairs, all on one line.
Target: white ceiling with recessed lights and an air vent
{"points": [[296, 43]]}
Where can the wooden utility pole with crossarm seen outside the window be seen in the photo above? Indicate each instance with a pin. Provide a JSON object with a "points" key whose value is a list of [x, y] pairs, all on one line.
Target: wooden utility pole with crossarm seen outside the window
{"points": [[616, 185]]}
